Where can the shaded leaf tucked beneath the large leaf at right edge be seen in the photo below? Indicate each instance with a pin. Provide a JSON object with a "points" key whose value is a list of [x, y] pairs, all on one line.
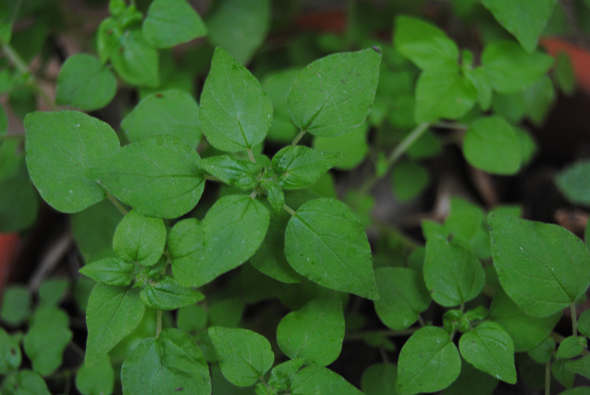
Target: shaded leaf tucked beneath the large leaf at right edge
{"points": [[526, 331]]}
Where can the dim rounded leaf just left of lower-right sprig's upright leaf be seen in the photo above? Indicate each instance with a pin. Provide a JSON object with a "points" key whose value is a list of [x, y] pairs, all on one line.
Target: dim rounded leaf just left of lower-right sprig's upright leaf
{"points": [[402, 296]]}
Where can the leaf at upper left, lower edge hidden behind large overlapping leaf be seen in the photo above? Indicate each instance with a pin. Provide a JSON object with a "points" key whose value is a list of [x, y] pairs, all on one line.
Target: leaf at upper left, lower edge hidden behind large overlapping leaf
{"points": [[170, 112]]}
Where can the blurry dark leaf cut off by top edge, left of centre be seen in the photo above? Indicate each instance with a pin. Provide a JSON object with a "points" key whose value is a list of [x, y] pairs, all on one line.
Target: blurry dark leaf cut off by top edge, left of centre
{"points": [[239, 27]]}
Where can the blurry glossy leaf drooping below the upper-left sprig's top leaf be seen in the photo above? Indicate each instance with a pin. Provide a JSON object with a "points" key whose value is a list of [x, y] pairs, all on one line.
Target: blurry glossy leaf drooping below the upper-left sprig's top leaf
{"points": [[136, 62]]}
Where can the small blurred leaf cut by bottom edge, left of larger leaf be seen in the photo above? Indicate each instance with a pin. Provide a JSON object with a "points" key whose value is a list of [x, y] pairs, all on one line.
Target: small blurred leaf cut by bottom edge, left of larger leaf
{"points": [[98, 379]]}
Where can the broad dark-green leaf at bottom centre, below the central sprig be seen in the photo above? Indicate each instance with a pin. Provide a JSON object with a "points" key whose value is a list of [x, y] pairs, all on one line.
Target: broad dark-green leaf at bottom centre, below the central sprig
{"points": [[315, 332]]}
